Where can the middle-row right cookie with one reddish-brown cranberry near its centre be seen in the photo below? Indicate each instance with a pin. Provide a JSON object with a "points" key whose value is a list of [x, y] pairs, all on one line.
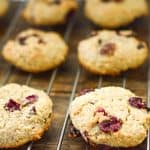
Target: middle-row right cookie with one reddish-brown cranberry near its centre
{"points": [[111, 52]]}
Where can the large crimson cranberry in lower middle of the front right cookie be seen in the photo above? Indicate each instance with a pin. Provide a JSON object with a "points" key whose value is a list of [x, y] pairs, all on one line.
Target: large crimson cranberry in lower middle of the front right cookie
{"points": [[111, 125]]}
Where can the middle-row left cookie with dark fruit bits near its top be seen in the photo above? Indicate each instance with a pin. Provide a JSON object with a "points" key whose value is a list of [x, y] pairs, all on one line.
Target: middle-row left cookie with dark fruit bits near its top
{"points": [[36, 51]]}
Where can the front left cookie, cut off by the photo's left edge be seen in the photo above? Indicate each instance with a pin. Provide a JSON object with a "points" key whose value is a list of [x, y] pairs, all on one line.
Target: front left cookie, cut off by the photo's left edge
{"points": [[25, 113]]}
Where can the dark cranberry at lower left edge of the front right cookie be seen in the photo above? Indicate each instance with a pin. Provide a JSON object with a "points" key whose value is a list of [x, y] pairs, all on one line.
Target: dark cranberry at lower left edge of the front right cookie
{"points": [[73, 132]]}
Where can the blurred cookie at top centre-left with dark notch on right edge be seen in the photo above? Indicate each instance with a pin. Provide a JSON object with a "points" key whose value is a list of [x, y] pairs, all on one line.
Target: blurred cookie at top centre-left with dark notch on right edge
{"points": [[53, 11]]}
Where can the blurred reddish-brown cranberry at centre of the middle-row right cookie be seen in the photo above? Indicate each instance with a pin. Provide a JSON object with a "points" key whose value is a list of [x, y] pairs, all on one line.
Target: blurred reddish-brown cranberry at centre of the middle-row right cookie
{"points": [[108, 49]]}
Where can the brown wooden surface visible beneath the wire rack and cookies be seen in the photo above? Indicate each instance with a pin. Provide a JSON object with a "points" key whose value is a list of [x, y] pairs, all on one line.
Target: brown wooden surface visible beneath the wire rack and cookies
{"points": [[65, 82]]}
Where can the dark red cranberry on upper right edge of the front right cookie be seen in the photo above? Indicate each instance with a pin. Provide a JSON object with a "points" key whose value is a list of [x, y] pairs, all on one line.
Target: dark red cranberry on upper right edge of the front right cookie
{"points": [[137, 102]]}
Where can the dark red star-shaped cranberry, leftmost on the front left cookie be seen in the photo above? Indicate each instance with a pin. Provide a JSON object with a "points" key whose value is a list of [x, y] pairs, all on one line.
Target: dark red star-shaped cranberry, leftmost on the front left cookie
{"points": [[12, 105]]}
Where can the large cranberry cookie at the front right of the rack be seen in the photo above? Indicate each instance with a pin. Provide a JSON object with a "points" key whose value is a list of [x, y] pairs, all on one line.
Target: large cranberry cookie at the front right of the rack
{"points": [[111, 116]]}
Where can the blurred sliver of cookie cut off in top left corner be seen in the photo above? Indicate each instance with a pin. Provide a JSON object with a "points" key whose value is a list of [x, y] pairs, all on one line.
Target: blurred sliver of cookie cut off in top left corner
{"points": [[4, 4]]}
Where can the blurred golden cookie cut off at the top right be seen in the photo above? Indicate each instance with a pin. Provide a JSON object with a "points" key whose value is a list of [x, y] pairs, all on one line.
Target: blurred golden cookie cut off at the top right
{"points": [[115, 13]]}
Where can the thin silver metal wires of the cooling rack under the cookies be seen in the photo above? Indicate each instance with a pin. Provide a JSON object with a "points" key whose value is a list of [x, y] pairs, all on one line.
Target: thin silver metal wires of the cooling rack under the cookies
{"points": [[54, 73]]}
